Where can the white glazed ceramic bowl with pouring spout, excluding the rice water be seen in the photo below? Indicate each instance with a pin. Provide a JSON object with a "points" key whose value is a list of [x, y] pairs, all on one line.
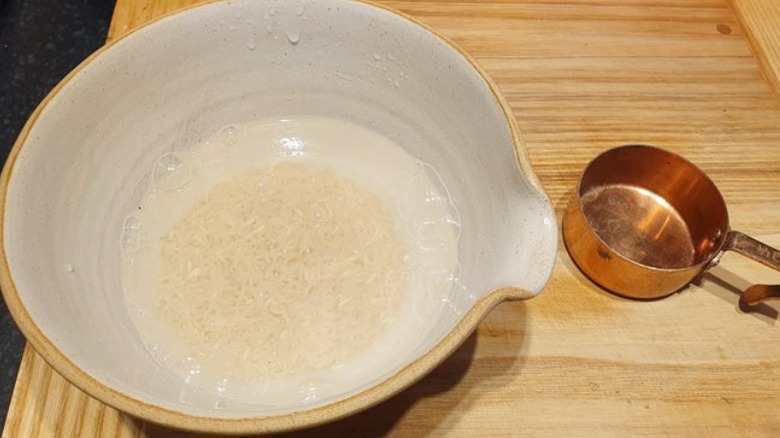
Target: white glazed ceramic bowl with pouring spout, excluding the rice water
{"points": [[72, 176]]}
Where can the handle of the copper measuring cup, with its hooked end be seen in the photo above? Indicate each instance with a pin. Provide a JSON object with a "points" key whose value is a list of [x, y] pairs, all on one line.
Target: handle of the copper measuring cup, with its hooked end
{"points": [[762, 253]]}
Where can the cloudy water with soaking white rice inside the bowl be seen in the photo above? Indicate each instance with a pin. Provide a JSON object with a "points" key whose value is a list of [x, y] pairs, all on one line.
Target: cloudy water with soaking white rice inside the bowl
{"points": [[282, 260]]}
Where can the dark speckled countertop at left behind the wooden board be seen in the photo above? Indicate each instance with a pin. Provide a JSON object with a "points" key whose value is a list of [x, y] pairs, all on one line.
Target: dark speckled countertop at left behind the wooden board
{"points": [[40, 42]]}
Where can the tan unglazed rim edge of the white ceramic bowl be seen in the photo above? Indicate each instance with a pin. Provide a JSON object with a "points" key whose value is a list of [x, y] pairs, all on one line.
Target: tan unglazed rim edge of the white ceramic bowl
{"points": [[276, 423]]}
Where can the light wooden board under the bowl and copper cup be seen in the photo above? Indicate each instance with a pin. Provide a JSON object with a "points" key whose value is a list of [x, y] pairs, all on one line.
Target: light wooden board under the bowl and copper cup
{"points": [[581, 76]]}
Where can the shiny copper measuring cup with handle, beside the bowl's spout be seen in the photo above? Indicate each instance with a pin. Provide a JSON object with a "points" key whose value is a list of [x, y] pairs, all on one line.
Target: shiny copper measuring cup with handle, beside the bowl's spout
{"points": [[644, 222]]}
